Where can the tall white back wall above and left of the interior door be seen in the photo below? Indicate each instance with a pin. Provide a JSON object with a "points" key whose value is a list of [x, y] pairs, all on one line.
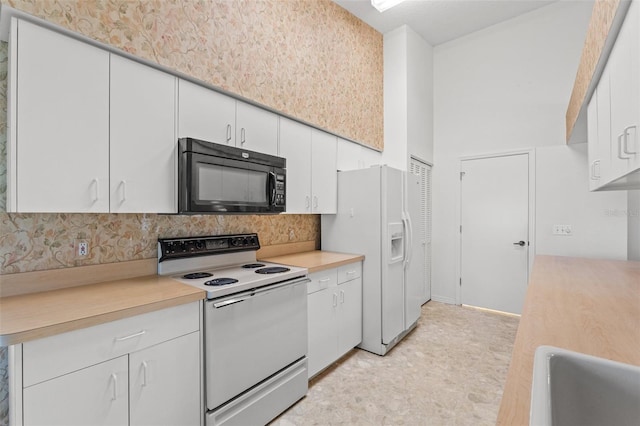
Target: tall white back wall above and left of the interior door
{"points": [[502, 88]]}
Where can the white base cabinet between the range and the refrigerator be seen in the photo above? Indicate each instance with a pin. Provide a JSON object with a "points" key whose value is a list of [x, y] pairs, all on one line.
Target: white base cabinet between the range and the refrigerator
{"points": [[334, 315]]}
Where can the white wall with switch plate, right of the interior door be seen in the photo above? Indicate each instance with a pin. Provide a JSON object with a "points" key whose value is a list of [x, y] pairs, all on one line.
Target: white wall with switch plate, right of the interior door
{"points": [[563, 198]]}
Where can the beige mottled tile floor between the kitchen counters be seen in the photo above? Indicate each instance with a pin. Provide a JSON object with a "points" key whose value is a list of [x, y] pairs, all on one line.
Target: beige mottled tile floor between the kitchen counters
{"points": [[449, 371]]}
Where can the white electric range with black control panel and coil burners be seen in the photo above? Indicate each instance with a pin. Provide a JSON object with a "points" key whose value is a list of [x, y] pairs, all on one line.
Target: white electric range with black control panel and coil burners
{"points": [[255, 325]]}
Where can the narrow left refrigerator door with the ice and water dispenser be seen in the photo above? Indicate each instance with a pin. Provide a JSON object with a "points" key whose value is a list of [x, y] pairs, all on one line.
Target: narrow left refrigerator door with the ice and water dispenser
{"points": [[392, 272]]}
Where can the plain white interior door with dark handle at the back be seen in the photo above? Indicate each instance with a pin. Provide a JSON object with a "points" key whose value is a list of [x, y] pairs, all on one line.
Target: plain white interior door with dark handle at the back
{"points": [[495, 232]]}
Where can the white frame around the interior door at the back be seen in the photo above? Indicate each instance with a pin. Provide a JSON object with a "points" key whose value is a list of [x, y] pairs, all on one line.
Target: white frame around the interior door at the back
{"points": [[532, 209]]}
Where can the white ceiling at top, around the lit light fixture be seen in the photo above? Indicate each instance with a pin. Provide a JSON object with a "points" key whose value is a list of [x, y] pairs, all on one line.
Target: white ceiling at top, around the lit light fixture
{"points": [[439, 21]]}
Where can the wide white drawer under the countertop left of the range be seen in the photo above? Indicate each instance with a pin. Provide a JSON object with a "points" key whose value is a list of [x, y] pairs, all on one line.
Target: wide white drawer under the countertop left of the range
{"points": [[54, 356]]}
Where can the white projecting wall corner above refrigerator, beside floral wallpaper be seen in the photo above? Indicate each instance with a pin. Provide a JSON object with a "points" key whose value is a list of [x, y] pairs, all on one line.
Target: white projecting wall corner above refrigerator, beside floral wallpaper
{"points": [[408, 98]]}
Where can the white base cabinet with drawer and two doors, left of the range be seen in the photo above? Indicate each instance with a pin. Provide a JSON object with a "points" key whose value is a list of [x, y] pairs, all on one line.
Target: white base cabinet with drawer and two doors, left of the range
{"points": [[143, 370]]}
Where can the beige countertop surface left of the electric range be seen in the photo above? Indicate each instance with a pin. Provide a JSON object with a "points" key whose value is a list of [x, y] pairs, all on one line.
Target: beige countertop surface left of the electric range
{"points": [[41, 314]]}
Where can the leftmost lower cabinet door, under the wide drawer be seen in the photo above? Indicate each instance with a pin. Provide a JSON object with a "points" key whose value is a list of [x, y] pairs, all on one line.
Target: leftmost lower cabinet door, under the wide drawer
{"points": [[97, 395]]}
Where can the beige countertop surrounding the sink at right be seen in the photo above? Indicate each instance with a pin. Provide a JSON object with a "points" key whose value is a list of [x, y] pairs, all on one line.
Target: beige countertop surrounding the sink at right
{"points": [[585, 305]]}
